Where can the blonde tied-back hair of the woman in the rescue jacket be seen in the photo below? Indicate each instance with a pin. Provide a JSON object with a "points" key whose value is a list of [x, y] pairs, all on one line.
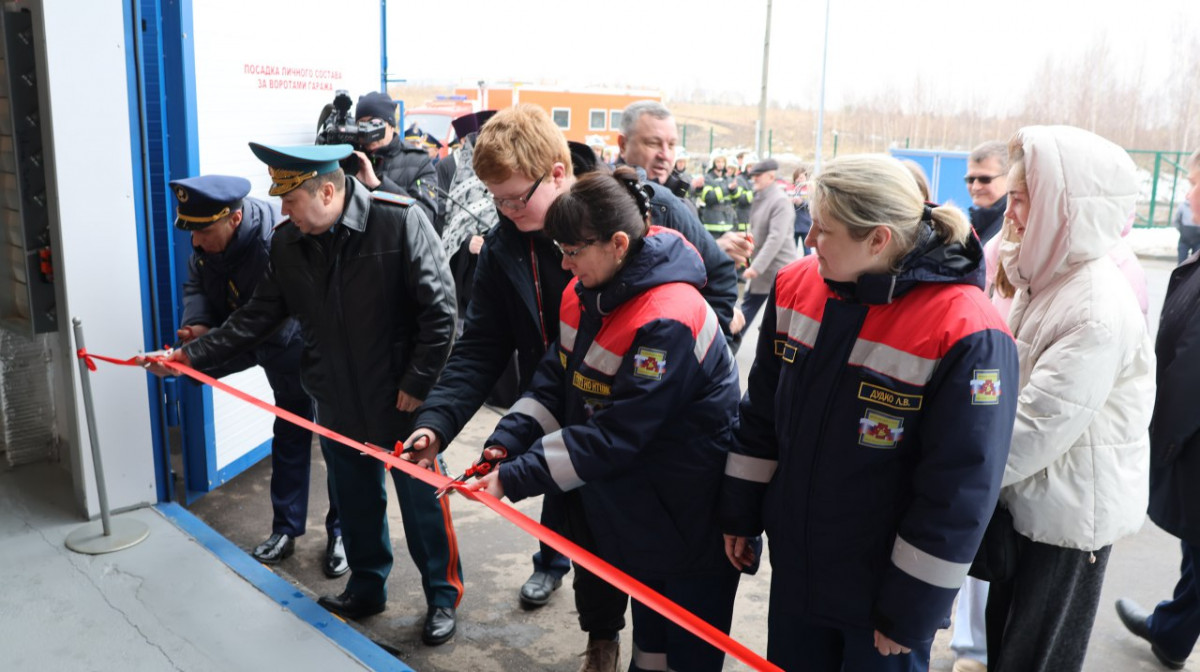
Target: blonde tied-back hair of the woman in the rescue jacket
{"points": [[874, 190]]}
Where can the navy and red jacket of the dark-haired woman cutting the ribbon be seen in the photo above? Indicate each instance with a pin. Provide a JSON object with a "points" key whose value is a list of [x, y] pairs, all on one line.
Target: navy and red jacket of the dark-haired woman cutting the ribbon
{"points": [[635, 407]]}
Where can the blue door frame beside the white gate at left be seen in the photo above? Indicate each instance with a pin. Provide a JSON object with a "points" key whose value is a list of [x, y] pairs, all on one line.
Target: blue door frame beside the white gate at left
{"points": [[164, 117]]}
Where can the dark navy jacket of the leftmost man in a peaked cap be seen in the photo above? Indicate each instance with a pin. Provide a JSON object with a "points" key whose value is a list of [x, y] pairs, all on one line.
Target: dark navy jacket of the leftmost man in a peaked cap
{"points": [[220, 284]]}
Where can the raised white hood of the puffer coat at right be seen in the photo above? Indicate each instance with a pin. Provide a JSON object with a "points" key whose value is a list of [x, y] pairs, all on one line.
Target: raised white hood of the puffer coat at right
{"points": [[1082, 190]]}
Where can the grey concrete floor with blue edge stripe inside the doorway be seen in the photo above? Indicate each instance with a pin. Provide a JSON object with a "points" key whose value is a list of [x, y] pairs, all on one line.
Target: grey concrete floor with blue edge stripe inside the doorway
{"points": [[183, 599]]}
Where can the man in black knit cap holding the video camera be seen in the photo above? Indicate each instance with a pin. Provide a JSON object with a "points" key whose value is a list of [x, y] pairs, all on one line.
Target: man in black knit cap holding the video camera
{"points": [[391, 164]]}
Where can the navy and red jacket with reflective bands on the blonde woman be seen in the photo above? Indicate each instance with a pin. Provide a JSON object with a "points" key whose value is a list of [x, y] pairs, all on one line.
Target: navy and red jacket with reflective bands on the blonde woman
{"points": [[873, 440]]}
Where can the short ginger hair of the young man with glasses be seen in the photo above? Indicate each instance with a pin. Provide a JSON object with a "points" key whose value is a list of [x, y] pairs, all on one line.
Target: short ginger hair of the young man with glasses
{"points": [[520, 140]]}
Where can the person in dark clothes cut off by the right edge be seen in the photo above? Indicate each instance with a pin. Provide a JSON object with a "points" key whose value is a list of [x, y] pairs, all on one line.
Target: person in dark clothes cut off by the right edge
{"points": [[1174, 627]]}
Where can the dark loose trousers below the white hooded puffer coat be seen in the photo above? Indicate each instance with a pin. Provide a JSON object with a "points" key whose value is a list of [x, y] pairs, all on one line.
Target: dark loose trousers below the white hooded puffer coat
{"points": [[1041, 620]]}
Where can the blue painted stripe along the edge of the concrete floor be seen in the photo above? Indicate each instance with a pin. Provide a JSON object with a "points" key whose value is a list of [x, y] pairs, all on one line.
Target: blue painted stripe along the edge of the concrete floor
{"points": [[287, 596]]}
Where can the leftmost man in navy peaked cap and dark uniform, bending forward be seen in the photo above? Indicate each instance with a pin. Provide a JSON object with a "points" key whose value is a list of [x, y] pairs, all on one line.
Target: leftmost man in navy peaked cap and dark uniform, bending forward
{"points": [[231, 243]]}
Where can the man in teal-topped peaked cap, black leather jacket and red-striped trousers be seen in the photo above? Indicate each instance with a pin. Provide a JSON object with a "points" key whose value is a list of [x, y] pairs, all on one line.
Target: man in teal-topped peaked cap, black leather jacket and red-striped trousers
{"points": [[365, 277]]}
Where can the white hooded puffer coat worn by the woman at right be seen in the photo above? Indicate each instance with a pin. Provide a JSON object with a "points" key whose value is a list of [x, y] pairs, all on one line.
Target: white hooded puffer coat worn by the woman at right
{"points": [[1078, 471]]}
